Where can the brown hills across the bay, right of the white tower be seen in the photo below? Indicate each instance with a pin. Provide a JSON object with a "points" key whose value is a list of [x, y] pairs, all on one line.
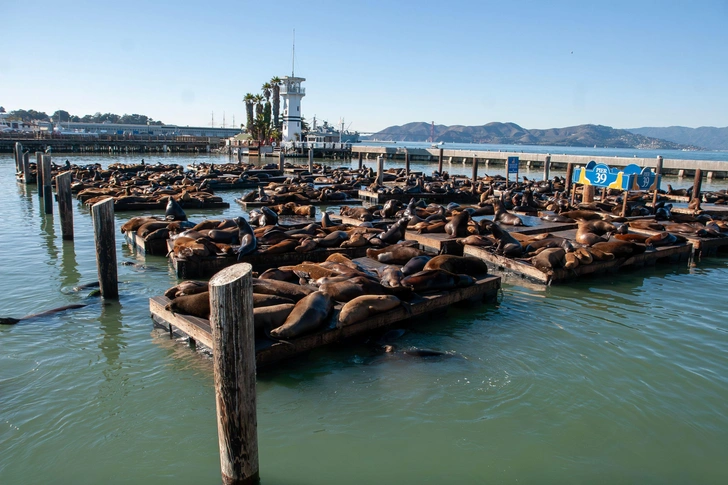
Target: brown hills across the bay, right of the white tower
{"points": [[512, 134]]}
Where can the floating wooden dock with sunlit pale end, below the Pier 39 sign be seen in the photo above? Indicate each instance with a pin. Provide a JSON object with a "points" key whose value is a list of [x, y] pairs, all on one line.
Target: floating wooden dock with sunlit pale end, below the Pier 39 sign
{"points": [[501, 265]]}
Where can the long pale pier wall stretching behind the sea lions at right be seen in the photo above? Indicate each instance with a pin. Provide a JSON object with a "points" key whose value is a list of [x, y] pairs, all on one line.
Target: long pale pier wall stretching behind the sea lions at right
{"points": [[678, 167]]}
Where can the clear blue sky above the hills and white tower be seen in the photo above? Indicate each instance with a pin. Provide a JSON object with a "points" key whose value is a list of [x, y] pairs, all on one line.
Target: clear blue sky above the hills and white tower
{"points": [[377, 63]]}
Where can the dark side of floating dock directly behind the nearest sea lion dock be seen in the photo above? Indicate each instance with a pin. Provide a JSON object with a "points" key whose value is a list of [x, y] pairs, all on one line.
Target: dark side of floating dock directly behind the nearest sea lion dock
{"points": [[208, 266]]}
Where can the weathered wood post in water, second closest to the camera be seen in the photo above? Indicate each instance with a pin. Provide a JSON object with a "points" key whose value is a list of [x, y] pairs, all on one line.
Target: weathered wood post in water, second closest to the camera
{"points": [[105, 239]]}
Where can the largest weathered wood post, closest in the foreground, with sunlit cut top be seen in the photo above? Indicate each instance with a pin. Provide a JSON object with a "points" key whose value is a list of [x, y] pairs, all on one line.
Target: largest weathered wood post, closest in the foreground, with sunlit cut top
{"points": [[233, 339]]}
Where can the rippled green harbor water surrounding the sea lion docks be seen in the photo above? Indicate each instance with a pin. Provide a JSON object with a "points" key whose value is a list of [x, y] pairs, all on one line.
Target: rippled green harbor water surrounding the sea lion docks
{"points": [[614, 379]]}
